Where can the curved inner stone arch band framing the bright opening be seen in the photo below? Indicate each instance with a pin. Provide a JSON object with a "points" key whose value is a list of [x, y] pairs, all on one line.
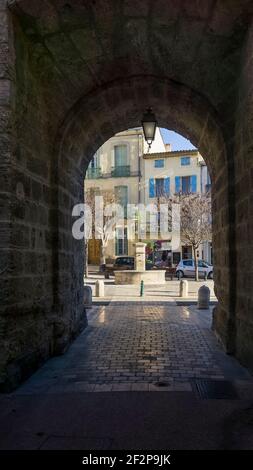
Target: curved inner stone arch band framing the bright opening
{"points": [[98, 117]]}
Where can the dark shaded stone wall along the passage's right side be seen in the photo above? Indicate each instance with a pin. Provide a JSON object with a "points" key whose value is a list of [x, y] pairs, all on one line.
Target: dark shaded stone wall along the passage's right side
{"points": [[233, 253]]}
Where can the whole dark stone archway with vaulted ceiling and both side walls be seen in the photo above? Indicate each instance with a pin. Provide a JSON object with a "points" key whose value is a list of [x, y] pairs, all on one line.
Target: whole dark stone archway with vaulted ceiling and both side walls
{"points": [[72, 76]]}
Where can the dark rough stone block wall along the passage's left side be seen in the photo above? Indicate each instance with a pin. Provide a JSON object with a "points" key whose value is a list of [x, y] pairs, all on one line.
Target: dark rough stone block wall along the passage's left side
{"points": [[33, 323]]}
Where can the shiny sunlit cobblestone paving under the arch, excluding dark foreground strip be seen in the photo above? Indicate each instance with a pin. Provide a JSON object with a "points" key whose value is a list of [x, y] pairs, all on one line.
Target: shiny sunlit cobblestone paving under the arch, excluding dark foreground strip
{"points": [[138, 347]]}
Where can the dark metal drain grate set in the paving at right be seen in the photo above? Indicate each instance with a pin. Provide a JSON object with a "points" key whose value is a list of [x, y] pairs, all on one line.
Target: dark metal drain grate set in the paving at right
{"points": [[215, 389]]}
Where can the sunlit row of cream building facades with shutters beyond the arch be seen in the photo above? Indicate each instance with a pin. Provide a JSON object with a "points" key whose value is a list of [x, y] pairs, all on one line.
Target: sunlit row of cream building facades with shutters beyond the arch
{"points": [[124, 165]]}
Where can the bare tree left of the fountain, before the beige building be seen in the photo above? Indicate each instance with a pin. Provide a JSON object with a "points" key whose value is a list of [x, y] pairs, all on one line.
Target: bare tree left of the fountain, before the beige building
{"points": [[104, 227]]}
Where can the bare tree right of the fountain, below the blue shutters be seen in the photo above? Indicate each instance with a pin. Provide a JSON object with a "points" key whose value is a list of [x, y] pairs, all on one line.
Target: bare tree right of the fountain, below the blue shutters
{"points": [[195, 220]]}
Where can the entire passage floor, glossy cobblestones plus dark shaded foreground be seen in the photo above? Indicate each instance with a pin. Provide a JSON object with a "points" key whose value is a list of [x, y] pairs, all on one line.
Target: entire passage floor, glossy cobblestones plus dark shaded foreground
{"points": [[127, 351]]}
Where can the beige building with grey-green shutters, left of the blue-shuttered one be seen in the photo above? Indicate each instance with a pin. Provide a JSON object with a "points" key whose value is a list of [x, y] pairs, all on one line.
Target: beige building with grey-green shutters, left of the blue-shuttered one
{"points": [[118, 166]]}
